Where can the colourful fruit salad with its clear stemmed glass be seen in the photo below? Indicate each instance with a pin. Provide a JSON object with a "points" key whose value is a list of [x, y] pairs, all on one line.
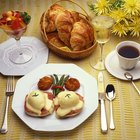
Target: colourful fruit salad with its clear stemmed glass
{"points": [[14, 23]]}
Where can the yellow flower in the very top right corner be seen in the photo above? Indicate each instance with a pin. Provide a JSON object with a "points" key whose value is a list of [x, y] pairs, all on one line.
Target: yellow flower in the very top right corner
{"points": [[132, 6]]}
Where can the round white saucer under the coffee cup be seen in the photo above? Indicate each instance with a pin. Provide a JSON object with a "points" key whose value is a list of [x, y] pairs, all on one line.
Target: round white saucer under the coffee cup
{"points": [[113, 67]]}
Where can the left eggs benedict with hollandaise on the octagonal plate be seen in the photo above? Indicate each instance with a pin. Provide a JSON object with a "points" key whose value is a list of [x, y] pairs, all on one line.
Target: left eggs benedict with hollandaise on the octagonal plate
{"points": [[39, 104]]}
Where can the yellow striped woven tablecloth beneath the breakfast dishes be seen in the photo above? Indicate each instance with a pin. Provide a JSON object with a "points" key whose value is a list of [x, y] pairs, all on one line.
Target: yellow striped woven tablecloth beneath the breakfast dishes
{"points": [[126, 104]]}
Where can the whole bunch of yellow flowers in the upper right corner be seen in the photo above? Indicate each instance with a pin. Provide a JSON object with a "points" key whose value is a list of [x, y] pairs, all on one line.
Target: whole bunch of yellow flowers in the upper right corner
{"points": [[126, 13]]}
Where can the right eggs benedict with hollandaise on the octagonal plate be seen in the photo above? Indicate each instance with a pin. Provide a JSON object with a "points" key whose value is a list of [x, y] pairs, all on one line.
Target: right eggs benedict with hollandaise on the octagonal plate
{"points": [[68, 104]]}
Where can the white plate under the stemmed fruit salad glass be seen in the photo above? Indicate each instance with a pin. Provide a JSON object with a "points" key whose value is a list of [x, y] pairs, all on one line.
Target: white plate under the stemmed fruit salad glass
{"points": [[40, 56]]}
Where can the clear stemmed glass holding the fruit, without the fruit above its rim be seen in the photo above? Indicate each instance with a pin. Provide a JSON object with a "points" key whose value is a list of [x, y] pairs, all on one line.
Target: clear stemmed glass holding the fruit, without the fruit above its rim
{"points": [[20, 54]]}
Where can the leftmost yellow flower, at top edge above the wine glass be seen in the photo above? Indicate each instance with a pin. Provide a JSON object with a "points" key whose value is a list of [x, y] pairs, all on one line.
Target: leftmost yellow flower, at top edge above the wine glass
{"points": [[102, 7]]}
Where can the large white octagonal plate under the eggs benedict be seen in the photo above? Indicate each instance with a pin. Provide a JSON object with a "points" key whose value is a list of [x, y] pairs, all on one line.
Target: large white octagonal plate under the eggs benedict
{"points": [[50, 123]]}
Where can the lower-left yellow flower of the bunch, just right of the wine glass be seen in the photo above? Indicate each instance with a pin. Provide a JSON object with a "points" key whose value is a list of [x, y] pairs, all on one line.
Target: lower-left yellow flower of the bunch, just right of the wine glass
{"points": [[120, 29]]}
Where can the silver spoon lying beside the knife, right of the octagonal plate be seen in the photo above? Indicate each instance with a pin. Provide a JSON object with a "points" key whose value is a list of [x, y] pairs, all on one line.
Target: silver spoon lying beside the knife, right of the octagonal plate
{"points": [[110, 94]]}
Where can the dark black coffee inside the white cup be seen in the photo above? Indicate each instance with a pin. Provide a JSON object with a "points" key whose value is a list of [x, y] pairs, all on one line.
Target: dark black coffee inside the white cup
{"points": [[129, 52]]}
